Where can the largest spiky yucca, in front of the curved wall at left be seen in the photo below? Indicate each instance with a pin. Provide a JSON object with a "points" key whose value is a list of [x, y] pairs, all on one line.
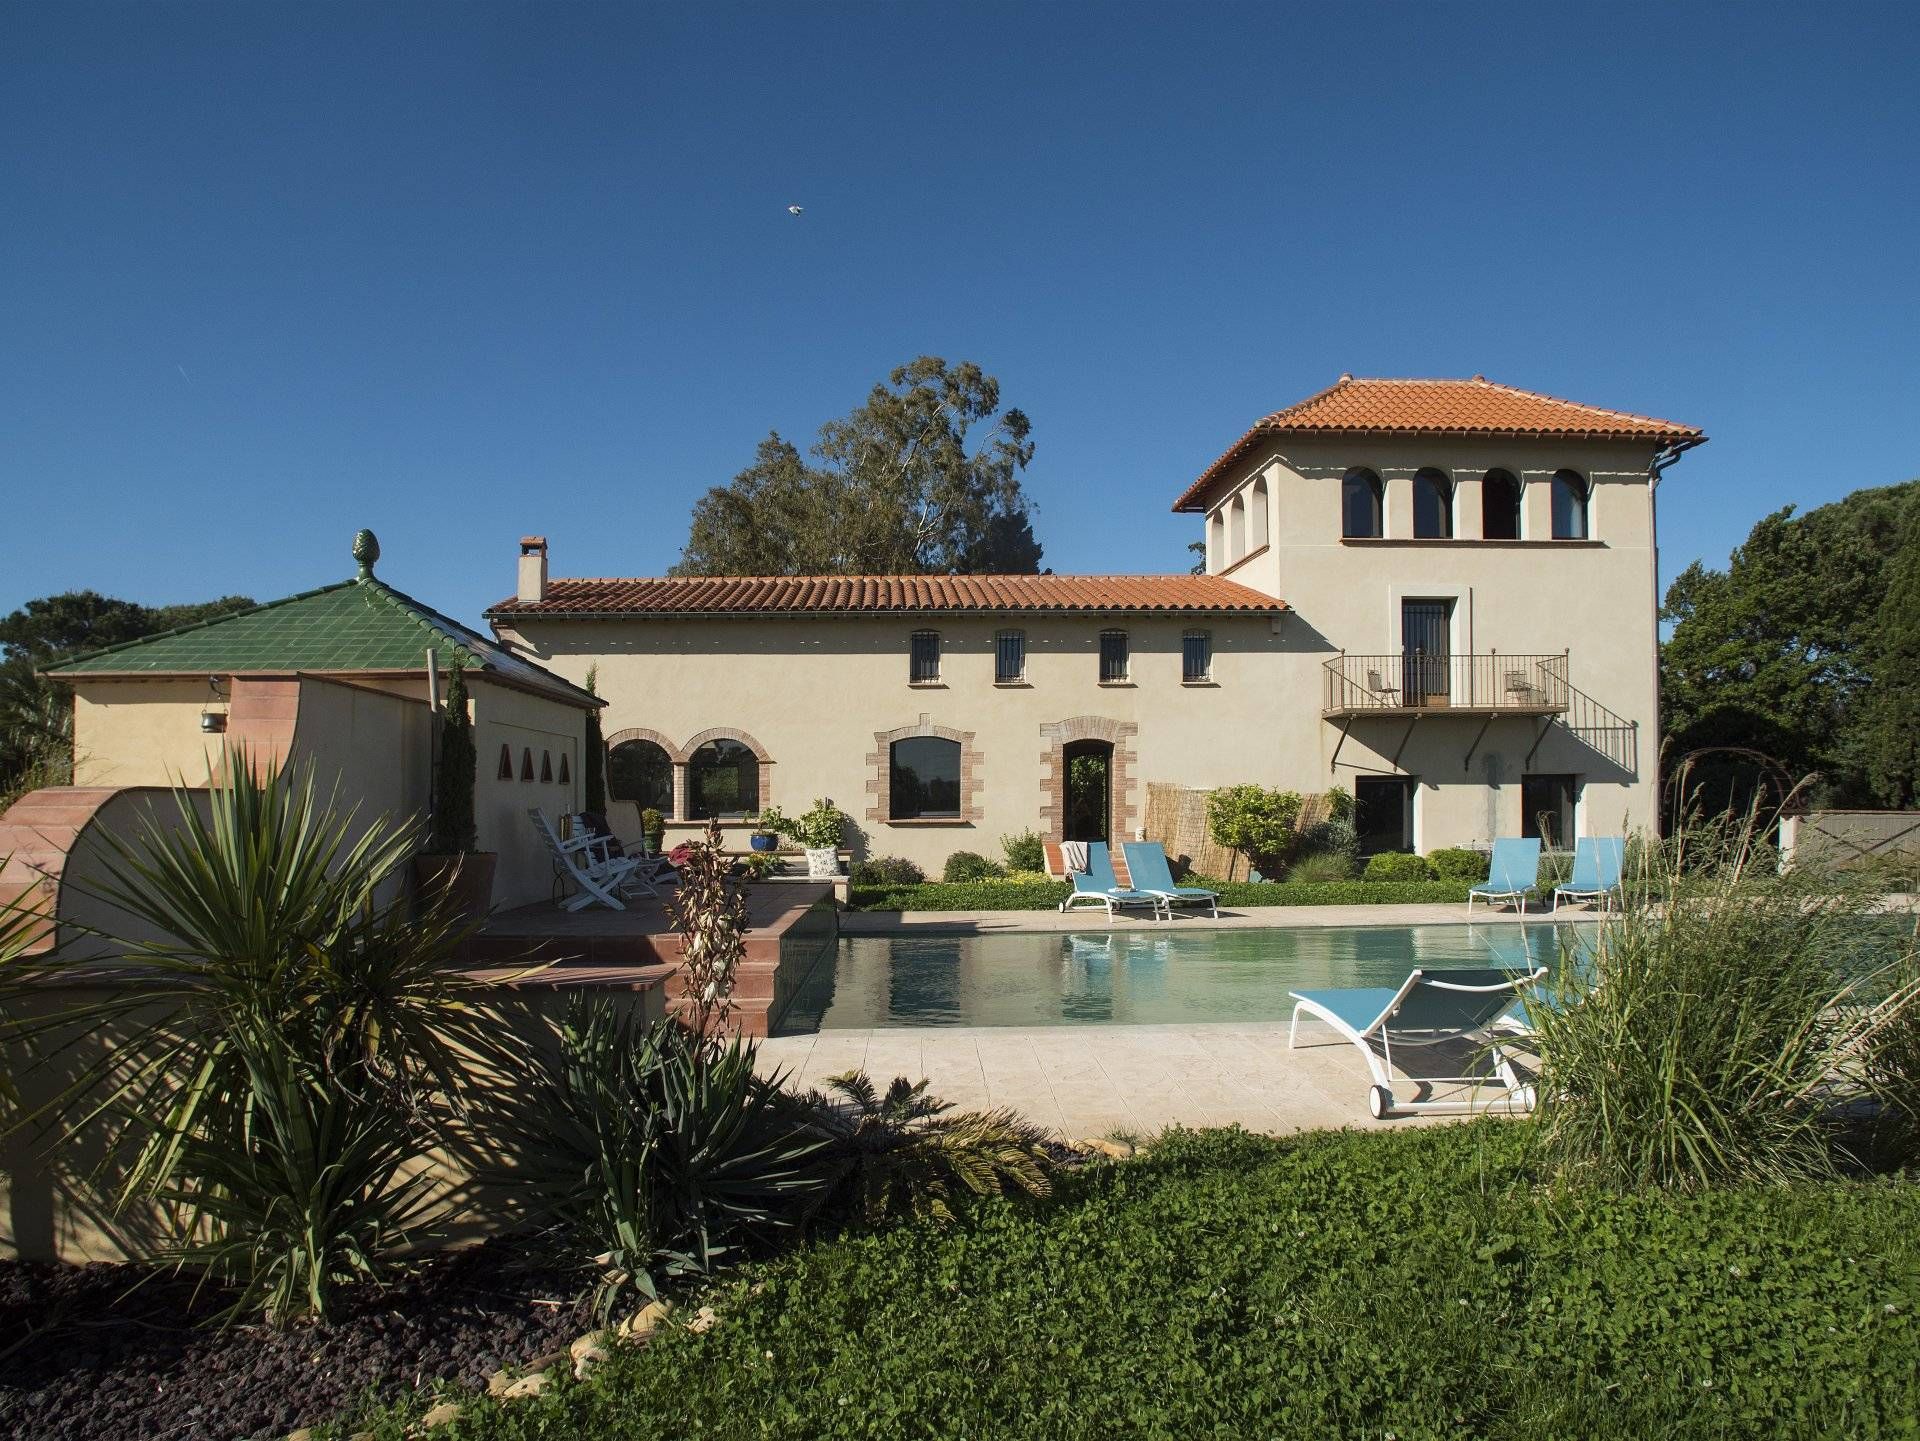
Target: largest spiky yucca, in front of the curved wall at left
{"points": [[289, 1039]]}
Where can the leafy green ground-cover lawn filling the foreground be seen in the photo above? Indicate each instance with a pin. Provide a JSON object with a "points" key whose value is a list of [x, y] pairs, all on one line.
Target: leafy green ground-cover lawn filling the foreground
{"points": [[1360, 1285]]}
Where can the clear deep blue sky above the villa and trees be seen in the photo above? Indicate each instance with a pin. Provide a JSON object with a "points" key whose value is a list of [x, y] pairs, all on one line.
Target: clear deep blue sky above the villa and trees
{"points": [[270, 272]]}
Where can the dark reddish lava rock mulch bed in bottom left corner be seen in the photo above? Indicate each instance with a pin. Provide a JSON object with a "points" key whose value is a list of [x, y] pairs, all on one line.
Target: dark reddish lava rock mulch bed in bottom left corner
{"points": [[82, 1358]]}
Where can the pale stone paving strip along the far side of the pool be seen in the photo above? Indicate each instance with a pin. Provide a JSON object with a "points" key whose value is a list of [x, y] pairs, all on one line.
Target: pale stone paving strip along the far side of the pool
{"points": [[1243, 918]]}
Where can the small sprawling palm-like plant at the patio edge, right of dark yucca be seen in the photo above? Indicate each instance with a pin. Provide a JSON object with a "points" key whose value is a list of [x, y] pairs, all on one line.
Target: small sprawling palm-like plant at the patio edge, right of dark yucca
{"points": [[901, 1154]]}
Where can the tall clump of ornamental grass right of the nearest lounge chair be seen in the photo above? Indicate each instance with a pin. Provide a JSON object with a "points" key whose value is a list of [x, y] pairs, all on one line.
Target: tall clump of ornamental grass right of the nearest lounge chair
{"points": [[1708, 1031]]}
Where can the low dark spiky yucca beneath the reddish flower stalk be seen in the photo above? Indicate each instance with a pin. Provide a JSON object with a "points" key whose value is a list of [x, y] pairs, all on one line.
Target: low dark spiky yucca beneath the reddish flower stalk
{"points": [[654, 1150]]}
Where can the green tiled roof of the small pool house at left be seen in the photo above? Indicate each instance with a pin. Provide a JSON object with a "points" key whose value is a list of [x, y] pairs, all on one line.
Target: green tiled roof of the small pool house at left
{"points": [[354, 626]]}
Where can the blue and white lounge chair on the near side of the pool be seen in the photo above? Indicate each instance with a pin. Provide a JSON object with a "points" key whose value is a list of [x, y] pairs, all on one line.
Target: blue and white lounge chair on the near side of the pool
{"points": [[1428, 1010]]}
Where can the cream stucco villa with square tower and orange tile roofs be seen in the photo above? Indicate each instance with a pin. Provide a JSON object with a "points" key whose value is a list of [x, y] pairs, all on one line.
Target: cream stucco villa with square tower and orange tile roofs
{"points": [[1435, 594]]}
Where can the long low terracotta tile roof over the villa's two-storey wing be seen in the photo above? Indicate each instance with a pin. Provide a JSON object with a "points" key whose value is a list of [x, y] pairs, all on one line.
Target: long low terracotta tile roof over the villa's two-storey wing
{"points": [[721, 596]]}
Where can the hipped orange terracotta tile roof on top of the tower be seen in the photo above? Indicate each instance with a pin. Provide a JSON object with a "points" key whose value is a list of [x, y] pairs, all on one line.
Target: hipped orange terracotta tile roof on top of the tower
{"points": [[1441, 408]]}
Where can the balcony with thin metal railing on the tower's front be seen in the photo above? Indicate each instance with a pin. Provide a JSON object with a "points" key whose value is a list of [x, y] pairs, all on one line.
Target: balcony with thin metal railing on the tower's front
{"points": [[1414, 684]]}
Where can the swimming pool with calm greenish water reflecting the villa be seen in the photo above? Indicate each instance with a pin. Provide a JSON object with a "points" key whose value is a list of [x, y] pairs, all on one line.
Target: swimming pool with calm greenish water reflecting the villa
{"points": [[1134, 978]]}
